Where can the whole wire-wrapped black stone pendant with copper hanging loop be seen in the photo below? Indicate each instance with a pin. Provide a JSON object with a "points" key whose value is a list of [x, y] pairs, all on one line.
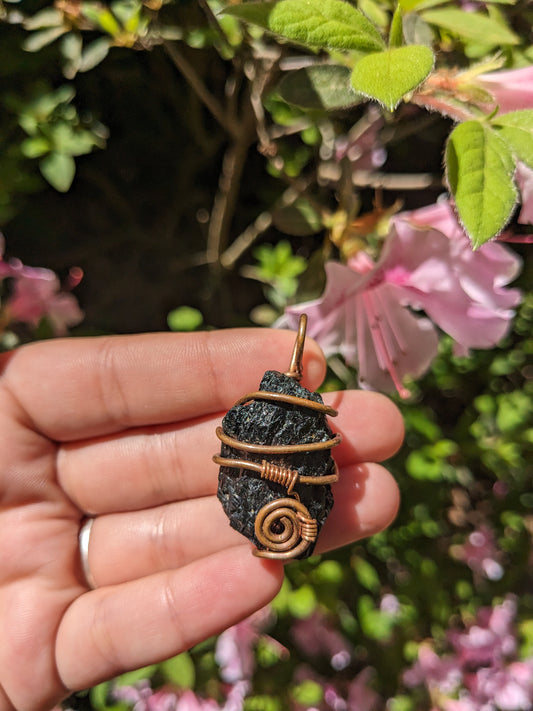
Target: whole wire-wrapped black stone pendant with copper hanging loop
{"points": [[276, 467]]}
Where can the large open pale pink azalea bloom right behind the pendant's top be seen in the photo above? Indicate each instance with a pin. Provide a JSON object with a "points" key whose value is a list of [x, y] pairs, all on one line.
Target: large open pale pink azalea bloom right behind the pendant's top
{"points": [[366, 311]]}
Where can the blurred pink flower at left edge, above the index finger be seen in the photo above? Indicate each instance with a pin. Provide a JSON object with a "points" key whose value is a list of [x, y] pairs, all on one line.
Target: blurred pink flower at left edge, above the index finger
{"points": [[36, 293]]}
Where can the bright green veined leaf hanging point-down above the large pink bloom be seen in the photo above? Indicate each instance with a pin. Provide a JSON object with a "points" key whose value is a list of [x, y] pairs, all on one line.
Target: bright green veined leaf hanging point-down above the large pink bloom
{"points": [[479, 168]]}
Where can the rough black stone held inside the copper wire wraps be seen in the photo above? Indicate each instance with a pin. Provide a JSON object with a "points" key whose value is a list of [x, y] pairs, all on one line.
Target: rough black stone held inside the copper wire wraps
{"points": [[242, 492]]}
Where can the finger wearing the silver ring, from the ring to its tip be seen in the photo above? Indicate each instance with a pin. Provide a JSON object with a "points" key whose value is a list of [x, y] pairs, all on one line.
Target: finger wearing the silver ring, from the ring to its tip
{"points": [[127, 546]]}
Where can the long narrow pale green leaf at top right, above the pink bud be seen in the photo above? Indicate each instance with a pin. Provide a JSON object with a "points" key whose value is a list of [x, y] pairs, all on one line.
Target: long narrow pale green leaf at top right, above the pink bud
{"points": [[471, 26]]}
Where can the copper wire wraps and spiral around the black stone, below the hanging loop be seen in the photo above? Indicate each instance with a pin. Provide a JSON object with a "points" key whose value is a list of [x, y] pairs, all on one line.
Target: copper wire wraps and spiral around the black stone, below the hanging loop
{"points": [[283, 526]]}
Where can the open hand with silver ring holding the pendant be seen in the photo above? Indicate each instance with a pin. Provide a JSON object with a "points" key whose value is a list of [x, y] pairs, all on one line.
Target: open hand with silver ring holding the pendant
{"points": [[123, 428]]}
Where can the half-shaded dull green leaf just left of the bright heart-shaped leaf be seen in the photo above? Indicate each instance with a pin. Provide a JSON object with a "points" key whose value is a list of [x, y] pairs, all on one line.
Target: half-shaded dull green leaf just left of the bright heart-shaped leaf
{"points": [[323, 86]]}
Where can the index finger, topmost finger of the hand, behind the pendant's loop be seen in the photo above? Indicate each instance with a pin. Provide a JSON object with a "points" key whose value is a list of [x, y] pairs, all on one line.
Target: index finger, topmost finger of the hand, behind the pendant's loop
{"points": [[83, 387]]}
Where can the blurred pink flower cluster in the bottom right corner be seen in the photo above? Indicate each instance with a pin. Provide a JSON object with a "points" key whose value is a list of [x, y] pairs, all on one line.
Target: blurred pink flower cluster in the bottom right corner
{"points": [[481, 674]]}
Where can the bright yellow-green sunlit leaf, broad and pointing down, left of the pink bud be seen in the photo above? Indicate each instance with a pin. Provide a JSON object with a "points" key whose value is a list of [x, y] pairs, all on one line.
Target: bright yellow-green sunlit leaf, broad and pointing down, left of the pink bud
{"points": [[387, 76]]}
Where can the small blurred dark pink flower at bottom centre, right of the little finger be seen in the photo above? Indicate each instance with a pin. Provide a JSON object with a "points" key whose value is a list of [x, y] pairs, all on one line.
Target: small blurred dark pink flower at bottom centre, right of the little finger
{"points": [[315, 635]]}
